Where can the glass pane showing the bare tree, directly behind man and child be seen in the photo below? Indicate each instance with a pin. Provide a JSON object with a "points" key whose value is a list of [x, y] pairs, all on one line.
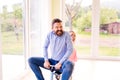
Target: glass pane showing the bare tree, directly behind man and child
{"points": [[78, 19]]}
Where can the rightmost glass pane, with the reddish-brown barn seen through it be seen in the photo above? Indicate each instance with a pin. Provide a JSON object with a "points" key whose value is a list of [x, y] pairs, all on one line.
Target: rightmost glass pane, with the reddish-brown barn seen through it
{"points": [[110, 28]]}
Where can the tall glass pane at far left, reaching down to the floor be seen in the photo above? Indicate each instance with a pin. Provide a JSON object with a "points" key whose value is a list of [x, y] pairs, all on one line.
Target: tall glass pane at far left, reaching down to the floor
{"points": [[12, 38]]}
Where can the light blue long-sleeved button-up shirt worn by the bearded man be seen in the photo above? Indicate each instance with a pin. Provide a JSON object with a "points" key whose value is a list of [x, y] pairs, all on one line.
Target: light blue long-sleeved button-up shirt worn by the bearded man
{"points": [[60, 46]]}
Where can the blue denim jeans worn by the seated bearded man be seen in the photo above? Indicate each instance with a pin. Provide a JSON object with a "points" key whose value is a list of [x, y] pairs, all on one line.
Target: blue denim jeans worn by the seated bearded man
{"points": [[36, 63]]}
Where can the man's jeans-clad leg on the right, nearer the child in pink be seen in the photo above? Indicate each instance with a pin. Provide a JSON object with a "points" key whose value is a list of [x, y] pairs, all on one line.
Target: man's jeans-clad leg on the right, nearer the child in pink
{"points": [[67, 70]]}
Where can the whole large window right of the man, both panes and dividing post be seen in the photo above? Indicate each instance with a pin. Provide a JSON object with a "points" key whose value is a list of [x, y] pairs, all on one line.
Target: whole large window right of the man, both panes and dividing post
{"points": [[82, 18]]}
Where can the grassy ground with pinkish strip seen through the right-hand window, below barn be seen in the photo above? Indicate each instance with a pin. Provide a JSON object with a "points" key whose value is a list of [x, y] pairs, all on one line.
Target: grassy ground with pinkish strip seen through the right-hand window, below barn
{"points": [[104, 50]]}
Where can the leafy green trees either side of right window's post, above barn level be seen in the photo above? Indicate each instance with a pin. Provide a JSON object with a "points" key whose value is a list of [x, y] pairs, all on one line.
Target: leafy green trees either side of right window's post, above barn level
{"points": [[107, 16]]}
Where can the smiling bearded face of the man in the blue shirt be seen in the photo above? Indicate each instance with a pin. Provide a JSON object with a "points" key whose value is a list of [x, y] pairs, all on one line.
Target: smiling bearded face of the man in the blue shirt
{"points": [[57, 28]]}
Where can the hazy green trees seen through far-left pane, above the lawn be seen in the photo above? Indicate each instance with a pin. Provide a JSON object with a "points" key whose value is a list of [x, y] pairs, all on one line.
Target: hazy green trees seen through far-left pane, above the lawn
{"points": [[11, 19]]}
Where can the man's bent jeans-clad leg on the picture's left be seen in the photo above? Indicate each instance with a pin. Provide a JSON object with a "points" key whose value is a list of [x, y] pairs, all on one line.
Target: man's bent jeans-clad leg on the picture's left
{"points": [[35, 63]]}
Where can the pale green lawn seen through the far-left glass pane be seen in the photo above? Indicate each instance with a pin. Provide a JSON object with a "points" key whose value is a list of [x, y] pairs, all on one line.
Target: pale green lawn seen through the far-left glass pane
{"points": [[10, 44]]}
